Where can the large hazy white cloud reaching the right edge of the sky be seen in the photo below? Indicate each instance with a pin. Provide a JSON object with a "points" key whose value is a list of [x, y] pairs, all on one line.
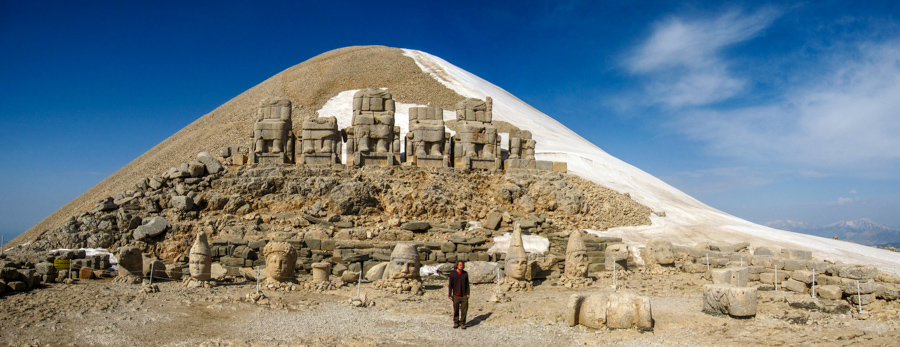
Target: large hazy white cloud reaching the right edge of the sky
{"points": [[848, 119]]}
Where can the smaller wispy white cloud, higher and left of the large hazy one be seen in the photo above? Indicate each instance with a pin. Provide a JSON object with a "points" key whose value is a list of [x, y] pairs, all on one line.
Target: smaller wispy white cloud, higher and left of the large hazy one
{"points": [[683, 58]]}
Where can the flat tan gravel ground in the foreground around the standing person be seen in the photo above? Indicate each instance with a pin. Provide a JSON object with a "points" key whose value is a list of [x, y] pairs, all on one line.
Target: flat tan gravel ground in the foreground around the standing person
{"points": [[104, 312]]}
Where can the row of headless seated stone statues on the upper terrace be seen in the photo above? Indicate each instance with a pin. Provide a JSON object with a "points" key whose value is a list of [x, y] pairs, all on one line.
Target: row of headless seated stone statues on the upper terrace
{"points": [[373, 138]]}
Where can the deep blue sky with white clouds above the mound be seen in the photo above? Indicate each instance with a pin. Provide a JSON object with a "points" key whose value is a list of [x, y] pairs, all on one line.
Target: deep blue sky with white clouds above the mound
{"points": [[781, 110]]}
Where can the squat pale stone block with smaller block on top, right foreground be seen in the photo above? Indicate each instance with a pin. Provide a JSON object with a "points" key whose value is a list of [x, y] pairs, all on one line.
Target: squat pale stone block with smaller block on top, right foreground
{"points": [[730, 300]]}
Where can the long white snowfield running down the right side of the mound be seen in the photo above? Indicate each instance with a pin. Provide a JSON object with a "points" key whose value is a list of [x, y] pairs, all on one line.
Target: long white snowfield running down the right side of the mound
{"points": [[687, 221]]}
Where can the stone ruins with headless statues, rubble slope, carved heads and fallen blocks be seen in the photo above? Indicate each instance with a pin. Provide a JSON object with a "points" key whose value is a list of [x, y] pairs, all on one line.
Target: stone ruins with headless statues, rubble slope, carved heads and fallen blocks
{"points": [[358, 210]]}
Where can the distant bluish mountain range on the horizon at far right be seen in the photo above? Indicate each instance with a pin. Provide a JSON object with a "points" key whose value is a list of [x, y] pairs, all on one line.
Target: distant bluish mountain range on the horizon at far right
{"points": [[863, 231]]}
